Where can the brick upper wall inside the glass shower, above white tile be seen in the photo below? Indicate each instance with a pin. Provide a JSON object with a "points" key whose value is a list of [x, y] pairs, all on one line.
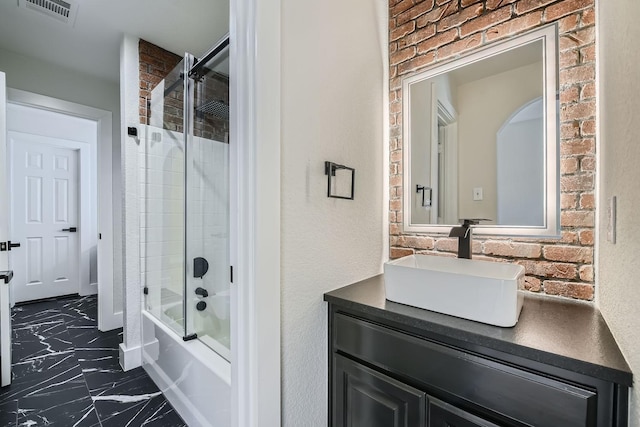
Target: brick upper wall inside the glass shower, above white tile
{"points": [[157, 64]]}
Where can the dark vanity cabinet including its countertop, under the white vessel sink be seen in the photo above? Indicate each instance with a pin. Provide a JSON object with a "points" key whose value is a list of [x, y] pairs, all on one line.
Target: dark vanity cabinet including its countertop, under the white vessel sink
{"points": [[393, 365]]}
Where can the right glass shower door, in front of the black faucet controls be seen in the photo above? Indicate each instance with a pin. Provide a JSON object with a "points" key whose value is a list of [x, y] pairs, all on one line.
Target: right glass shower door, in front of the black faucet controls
{"points": [[207, 202]]}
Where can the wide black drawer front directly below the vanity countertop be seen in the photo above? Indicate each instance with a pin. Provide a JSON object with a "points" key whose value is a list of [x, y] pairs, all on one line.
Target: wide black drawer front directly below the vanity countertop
{"points": [[514, 393]]}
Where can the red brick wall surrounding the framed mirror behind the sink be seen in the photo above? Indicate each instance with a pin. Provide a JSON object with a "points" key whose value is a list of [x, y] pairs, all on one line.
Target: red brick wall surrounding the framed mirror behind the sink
{"points": [[423, 33]]}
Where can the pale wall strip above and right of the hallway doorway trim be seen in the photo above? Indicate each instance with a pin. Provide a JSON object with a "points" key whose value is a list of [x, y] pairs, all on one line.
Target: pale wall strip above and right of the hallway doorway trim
{"points": [[36, 76]]}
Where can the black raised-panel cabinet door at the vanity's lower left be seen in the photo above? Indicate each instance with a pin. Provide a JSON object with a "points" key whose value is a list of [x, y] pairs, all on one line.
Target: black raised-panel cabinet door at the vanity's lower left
{"points": [[363, 397]]}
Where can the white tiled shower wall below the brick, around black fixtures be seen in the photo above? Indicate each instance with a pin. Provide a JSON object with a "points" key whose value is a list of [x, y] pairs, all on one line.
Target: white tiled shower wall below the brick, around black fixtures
{"points": [[162, 223]]}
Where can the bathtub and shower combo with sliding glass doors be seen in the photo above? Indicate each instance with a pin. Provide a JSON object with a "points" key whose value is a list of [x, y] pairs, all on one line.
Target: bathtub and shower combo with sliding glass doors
{"points": [[184, 248]]}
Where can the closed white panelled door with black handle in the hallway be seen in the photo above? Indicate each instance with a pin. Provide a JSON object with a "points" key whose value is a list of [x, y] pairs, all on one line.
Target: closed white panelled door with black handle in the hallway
{"points": [[44, 215]]}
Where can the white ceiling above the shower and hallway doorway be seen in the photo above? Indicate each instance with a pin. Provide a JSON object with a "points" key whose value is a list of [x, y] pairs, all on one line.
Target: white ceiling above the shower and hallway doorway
{"points": [[92, 44]]}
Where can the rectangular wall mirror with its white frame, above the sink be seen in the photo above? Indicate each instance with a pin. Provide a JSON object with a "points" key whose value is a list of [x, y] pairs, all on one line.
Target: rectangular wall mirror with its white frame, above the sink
{"points": [[481, 137]]}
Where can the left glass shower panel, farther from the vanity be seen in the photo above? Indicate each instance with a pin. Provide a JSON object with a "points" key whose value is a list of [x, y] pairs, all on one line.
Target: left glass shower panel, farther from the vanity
{"points": [[162, 179]]}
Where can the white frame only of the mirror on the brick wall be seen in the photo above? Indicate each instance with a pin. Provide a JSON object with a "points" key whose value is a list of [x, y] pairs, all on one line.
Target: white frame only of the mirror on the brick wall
{"points": [[551, 228]]}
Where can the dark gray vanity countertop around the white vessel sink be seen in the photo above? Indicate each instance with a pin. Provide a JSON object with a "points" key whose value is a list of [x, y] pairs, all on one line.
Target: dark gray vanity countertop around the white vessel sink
{"points": [[563, 333]]}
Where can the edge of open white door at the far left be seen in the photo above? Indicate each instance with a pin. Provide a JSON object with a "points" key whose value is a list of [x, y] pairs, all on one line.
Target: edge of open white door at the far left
{"points": [[5, 308]]}
